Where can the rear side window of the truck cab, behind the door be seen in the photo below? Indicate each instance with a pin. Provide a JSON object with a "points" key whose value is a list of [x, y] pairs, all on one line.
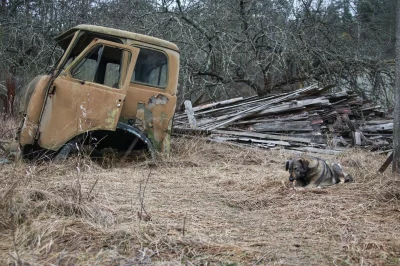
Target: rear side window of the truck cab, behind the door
{"points": [[151, 68]]}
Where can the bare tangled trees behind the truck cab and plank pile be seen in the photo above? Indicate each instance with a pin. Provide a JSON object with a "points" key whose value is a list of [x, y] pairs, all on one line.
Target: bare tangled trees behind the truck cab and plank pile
{"points": [[228, 48]]}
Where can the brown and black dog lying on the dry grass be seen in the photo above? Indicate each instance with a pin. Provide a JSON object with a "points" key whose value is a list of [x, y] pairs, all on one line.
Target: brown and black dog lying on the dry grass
{"points": [[308, 171]]}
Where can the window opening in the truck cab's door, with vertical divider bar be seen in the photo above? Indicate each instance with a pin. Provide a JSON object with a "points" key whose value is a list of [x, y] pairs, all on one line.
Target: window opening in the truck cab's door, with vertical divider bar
{"points": [[101, 65]]}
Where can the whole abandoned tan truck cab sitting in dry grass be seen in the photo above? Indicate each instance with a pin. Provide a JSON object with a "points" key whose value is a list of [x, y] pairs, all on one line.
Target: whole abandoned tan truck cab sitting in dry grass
{"points": [[112, 87]]}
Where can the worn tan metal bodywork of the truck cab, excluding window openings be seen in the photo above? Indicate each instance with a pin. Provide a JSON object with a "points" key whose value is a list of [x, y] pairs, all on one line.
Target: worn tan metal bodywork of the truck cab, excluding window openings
{"points": [[73, 106]]}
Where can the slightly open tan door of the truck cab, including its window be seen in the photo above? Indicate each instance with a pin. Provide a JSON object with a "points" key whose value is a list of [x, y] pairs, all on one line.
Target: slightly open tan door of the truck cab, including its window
{"points": [[88, 95]]}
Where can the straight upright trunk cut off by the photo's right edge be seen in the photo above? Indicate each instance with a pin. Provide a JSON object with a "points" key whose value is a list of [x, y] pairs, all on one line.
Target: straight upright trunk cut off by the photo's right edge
{"points": [[396, 116]]}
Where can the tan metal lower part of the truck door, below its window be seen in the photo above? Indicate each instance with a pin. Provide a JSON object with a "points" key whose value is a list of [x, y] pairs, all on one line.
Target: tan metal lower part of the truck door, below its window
{"points": [[75, 108]]}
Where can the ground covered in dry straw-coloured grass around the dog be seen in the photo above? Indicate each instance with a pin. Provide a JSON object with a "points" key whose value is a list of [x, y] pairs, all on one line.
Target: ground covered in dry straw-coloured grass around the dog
{"points": [[207, 204]]}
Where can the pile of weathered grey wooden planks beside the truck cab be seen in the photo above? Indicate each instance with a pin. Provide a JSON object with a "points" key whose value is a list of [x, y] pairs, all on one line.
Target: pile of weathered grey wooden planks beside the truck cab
{"points": [[309, 119]]}
